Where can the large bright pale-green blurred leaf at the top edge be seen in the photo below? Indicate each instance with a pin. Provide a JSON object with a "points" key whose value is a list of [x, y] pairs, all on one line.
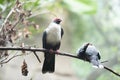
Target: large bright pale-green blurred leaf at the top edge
{"points": [[81, 6]]}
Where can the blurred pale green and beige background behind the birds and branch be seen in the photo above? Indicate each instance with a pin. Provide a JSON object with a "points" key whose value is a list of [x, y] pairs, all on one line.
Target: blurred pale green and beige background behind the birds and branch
{"points": [[94, 21]]}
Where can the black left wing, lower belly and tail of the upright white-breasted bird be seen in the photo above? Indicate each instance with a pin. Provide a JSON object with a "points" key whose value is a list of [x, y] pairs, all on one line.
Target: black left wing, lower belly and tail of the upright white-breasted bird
{"points": [[49, 61]]}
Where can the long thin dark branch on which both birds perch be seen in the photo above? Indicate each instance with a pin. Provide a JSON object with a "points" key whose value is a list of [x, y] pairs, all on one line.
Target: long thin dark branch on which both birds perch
{"points": [[45, 50]]}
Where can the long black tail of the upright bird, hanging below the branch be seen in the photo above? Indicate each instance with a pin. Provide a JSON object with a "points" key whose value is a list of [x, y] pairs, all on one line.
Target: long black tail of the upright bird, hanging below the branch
{"points": [[49, 63]]}
